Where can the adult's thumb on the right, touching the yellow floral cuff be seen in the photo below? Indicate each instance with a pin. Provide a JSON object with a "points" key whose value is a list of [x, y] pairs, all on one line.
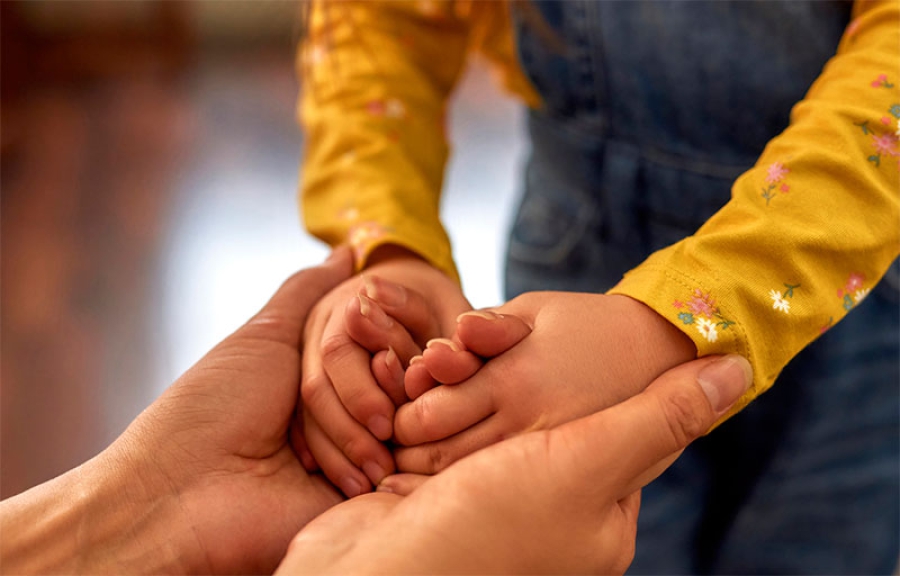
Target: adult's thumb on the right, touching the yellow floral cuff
{"points": [[634, 436]]}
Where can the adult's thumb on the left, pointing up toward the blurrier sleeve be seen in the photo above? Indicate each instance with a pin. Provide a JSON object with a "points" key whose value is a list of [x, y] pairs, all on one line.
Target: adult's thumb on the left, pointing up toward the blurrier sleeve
{"points": [[284, 316]]}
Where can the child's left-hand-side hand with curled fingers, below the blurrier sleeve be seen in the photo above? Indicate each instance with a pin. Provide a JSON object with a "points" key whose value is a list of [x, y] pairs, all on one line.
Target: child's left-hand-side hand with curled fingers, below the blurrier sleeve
{"points": [[346, 414]]}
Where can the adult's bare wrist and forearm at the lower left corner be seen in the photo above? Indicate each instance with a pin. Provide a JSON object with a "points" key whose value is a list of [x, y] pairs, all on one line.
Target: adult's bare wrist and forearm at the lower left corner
{"points": [[97, 518]]}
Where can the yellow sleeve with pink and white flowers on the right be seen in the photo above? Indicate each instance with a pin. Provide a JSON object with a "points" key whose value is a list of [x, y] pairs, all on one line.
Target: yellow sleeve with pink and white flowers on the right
{"points": [[810, 229]]}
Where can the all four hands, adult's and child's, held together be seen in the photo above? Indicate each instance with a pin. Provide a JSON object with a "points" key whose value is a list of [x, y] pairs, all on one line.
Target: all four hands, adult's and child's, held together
{"points": [[213, 476]]}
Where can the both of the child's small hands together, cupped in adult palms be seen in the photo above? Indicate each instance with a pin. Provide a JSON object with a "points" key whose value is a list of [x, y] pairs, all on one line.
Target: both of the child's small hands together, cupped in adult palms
{"points": [[553, 357]]}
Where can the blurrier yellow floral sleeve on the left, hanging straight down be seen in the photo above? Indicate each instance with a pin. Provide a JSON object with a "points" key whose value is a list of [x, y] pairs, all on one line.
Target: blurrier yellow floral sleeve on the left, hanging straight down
{"points": [[375, 78]]}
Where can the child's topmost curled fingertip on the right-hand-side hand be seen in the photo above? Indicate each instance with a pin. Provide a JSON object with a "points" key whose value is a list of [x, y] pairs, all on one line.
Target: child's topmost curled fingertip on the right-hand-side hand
{"points": [[488, 333]]}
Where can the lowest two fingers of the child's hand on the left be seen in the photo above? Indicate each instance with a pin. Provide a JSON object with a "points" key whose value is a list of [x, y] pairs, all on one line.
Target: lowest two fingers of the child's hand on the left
{"points": [[340, 431]]}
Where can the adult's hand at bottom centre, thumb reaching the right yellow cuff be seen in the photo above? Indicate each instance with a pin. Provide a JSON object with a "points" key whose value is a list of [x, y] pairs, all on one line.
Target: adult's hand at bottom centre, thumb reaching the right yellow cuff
{"points": [[563, 501]]}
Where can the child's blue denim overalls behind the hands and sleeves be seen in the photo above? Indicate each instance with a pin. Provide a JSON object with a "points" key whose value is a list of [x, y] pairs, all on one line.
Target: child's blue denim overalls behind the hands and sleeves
{"points": [[651, 112]]}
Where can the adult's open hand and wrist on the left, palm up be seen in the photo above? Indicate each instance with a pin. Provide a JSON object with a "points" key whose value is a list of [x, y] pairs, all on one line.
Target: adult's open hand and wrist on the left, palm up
{"points": [[205, 479]]}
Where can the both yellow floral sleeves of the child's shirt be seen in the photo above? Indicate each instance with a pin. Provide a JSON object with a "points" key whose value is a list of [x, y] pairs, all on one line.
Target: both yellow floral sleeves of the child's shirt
{"points": [[808, 231]]}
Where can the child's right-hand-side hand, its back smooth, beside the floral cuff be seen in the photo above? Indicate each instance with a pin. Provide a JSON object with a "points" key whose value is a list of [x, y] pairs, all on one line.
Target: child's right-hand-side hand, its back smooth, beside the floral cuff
{"points": [[586, 352]]}
